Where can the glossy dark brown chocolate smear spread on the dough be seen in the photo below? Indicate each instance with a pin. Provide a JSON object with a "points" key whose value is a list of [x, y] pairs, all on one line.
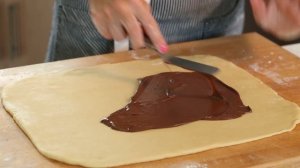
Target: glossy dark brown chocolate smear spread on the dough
{"points": [[175, 98]]}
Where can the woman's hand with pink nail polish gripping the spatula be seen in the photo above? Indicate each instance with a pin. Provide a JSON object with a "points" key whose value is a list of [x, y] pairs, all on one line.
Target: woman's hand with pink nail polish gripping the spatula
{"points": [[119, 19]]}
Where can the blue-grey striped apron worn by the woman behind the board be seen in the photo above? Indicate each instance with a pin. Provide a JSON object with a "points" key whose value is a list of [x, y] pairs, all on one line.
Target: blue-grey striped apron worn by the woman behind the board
{"points": [[74, 35]]}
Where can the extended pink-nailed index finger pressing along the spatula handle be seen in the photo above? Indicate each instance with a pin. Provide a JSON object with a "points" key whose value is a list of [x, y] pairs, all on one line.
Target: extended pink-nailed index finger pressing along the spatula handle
{"points": [[151, 28]]}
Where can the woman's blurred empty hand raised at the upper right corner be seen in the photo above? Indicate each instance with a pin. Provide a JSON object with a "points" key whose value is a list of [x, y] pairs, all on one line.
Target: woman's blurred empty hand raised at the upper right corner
{"points": [[279, 17]]}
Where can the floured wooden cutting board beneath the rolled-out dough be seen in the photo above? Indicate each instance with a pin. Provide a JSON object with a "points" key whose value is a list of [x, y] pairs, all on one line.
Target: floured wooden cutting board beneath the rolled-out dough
{"points": [[276, 67]]}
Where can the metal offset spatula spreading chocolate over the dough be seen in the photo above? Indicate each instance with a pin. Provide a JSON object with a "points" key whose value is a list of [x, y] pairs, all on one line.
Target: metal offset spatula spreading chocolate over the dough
{"points": [[184, 63]]}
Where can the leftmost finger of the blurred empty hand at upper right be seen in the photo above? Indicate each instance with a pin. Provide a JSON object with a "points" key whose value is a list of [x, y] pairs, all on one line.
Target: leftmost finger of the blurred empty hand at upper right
{"points": [[259, 8]]}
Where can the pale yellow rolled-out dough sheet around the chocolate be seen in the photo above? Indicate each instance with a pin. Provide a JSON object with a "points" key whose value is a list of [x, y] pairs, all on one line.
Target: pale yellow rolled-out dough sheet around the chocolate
{"points": [[61, 113]]}
